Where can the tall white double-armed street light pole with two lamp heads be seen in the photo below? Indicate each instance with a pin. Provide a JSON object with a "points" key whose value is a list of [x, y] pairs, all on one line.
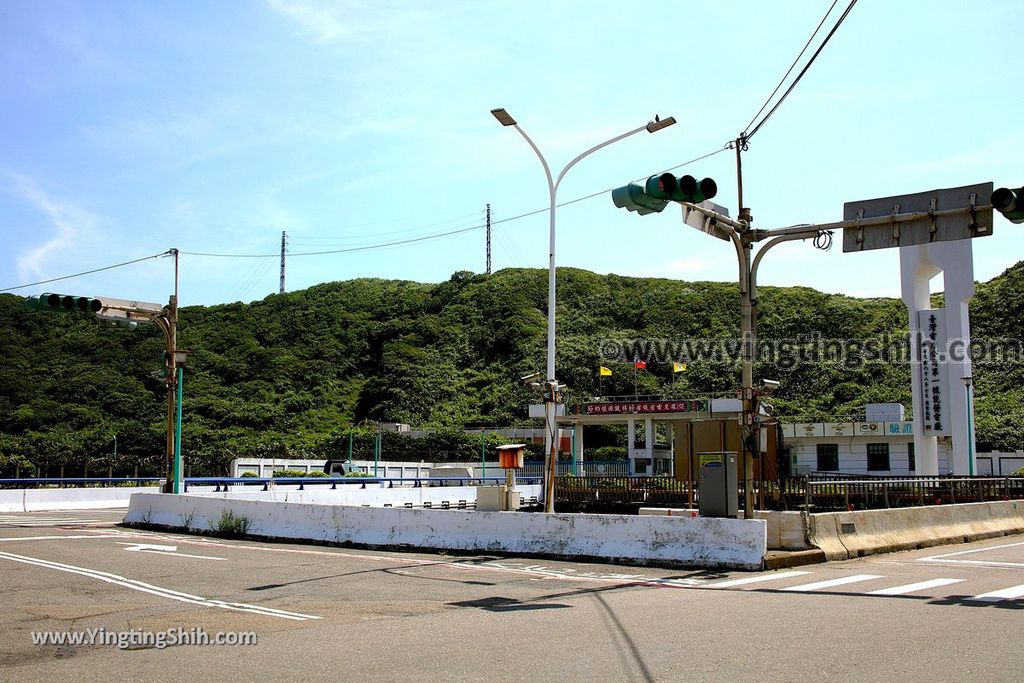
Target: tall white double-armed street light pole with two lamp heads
{"points": [[552, 388]]}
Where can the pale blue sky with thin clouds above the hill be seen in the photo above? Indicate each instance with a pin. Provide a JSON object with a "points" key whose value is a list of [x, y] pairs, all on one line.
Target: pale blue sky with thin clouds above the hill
{"points": [[129, 129]]}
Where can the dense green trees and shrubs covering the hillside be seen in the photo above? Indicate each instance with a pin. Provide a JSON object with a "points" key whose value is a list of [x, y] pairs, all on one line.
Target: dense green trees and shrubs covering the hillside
{"points": [[294, 373]]}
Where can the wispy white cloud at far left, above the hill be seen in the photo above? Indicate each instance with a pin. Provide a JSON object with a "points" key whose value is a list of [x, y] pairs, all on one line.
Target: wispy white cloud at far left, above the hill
{"points": [[71, 226]]}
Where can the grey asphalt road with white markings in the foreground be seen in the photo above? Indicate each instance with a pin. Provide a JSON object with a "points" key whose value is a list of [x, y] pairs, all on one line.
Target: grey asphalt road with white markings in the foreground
{"points": [[950, 614]]}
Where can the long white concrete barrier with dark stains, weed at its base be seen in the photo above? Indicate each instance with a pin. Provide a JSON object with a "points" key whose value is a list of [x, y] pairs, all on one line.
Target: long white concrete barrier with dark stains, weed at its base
{"points": [[701, 542]]}
